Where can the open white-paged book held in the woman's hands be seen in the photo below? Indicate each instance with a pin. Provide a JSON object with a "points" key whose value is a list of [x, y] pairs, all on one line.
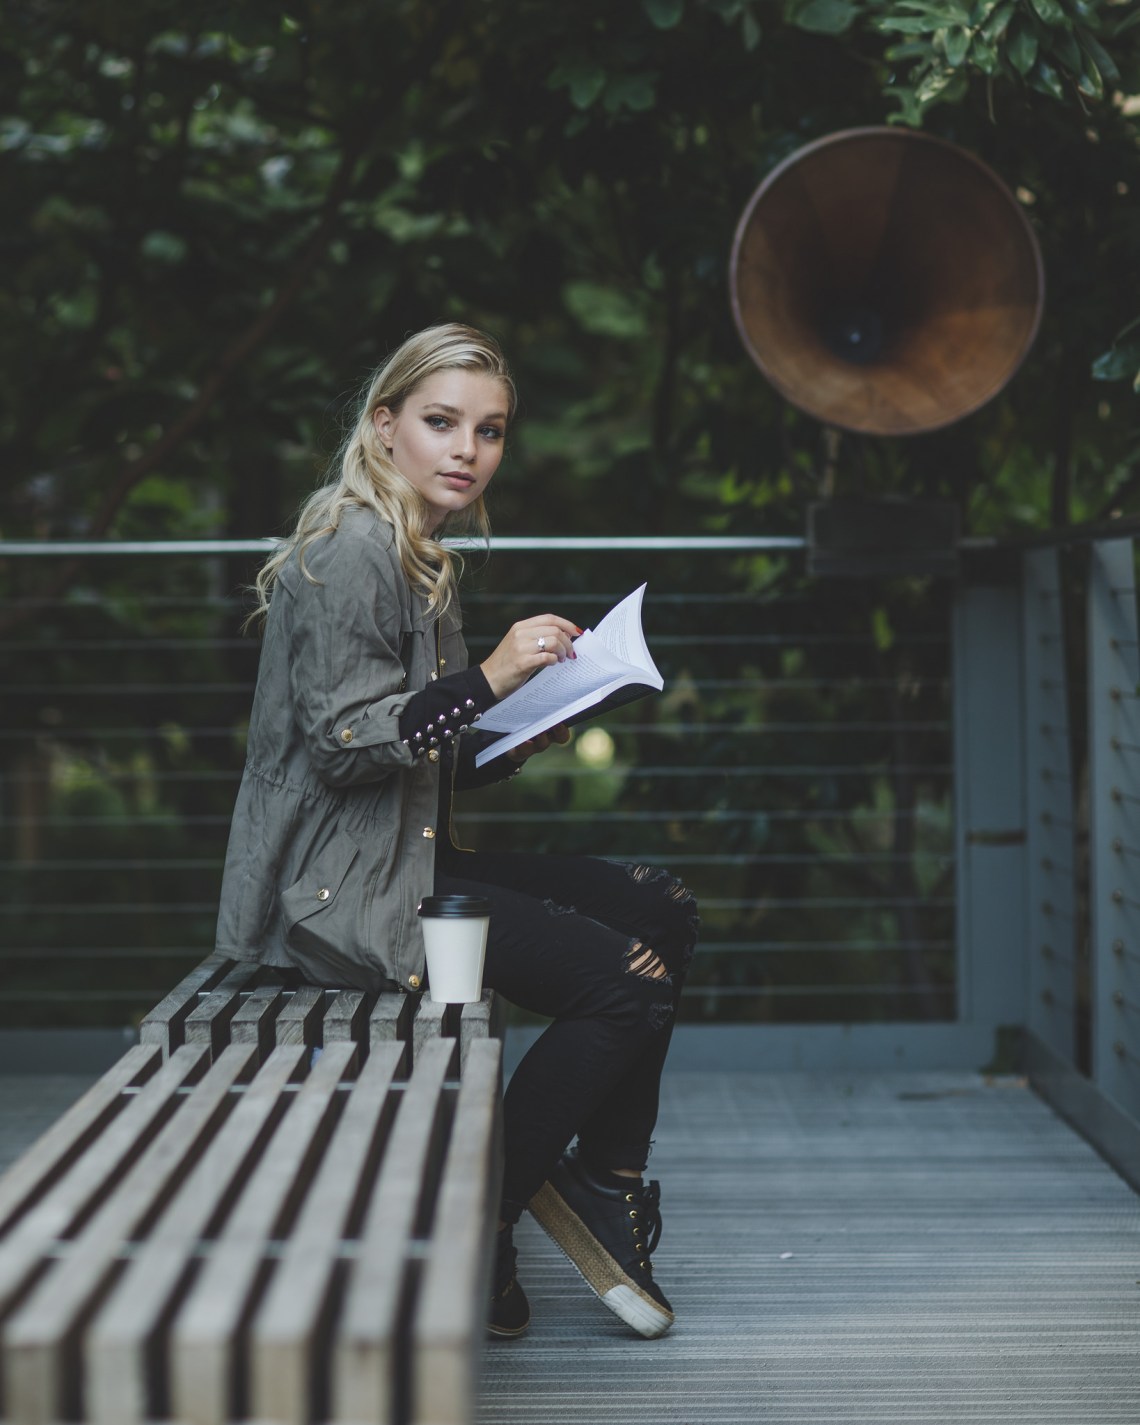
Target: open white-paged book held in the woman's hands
{"points": [[613, 666]]}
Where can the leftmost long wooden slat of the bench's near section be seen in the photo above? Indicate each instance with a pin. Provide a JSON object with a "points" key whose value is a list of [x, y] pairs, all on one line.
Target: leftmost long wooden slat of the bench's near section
{"points": [[73, 1198]]}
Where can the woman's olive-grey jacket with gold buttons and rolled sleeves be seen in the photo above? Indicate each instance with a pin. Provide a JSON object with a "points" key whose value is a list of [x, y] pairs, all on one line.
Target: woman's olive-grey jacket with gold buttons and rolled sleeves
{"points": [[333, 843]]}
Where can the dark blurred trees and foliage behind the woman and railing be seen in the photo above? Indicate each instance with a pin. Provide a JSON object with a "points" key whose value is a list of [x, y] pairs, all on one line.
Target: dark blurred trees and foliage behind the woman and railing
{"points": [[217, 220]]}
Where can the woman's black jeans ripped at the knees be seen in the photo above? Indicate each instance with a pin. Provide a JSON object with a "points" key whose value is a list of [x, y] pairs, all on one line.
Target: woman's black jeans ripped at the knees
{"points": [[602, 948]]}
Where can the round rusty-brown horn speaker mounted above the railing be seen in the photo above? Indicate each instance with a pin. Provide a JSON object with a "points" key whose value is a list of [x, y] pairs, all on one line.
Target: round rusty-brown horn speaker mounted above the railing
{"points": [[886, 281]]}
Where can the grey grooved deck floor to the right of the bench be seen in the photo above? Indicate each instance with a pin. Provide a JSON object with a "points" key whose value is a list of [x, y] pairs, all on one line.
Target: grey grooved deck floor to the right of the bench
{"points": [[851, 1249]]}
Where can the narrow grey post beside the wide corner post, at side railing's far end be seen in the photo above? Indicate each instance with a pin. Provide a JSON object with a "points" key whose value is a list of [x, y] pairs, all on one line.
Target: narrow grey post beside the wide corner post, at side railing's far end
{"points": [[1051, 854]]}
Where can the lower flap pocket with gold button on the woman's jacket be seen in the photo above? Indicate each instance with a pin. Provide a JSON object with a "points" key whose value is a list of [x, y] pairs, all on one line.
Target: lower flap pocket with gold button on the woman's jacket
{"points": [[321, 913]]}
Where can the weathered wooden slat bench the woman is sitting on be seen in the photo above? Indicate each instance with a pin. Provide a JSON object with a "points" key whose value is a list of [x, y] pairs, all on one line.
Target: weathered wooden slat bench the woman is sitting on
{"points": [[230, 1226]]}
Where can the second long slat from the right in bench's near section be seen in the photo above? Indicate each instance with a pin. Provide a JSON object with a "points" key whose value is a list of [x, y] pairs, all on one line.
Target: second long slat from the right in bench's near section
{"points": [[371, 1370]]}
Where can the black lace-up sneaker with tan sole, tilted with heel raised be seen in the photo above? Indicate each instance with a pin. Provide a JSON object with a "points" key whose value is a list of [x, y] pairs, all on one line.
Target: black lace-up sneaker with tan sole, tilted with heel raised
{"points": [[609, 1235]]}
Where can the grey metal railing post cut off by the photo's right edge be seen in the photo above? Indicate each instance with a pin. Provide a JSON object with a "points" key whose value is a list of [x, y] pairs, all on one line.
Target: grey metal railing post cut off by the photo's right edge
{"points": [[1115, 822]]}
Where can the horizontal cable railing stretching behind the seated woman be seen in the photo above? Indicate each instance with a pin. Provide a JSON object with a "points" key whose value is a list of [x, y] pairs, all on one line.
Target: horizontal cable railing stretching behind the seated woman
{"points": [[797, 770]]}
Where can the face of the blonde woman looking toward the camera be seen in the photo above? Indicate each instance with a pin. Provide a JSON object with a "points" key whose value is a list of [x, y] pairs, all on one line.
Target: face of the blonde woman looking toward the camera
{"points": [[448, 438]]}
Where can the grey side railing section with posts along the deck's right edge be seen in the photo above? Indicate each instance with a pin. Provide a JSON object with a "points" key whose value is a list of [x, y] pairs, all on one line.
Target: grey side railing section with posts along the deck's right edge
{"points": [[1082, 739]]}
